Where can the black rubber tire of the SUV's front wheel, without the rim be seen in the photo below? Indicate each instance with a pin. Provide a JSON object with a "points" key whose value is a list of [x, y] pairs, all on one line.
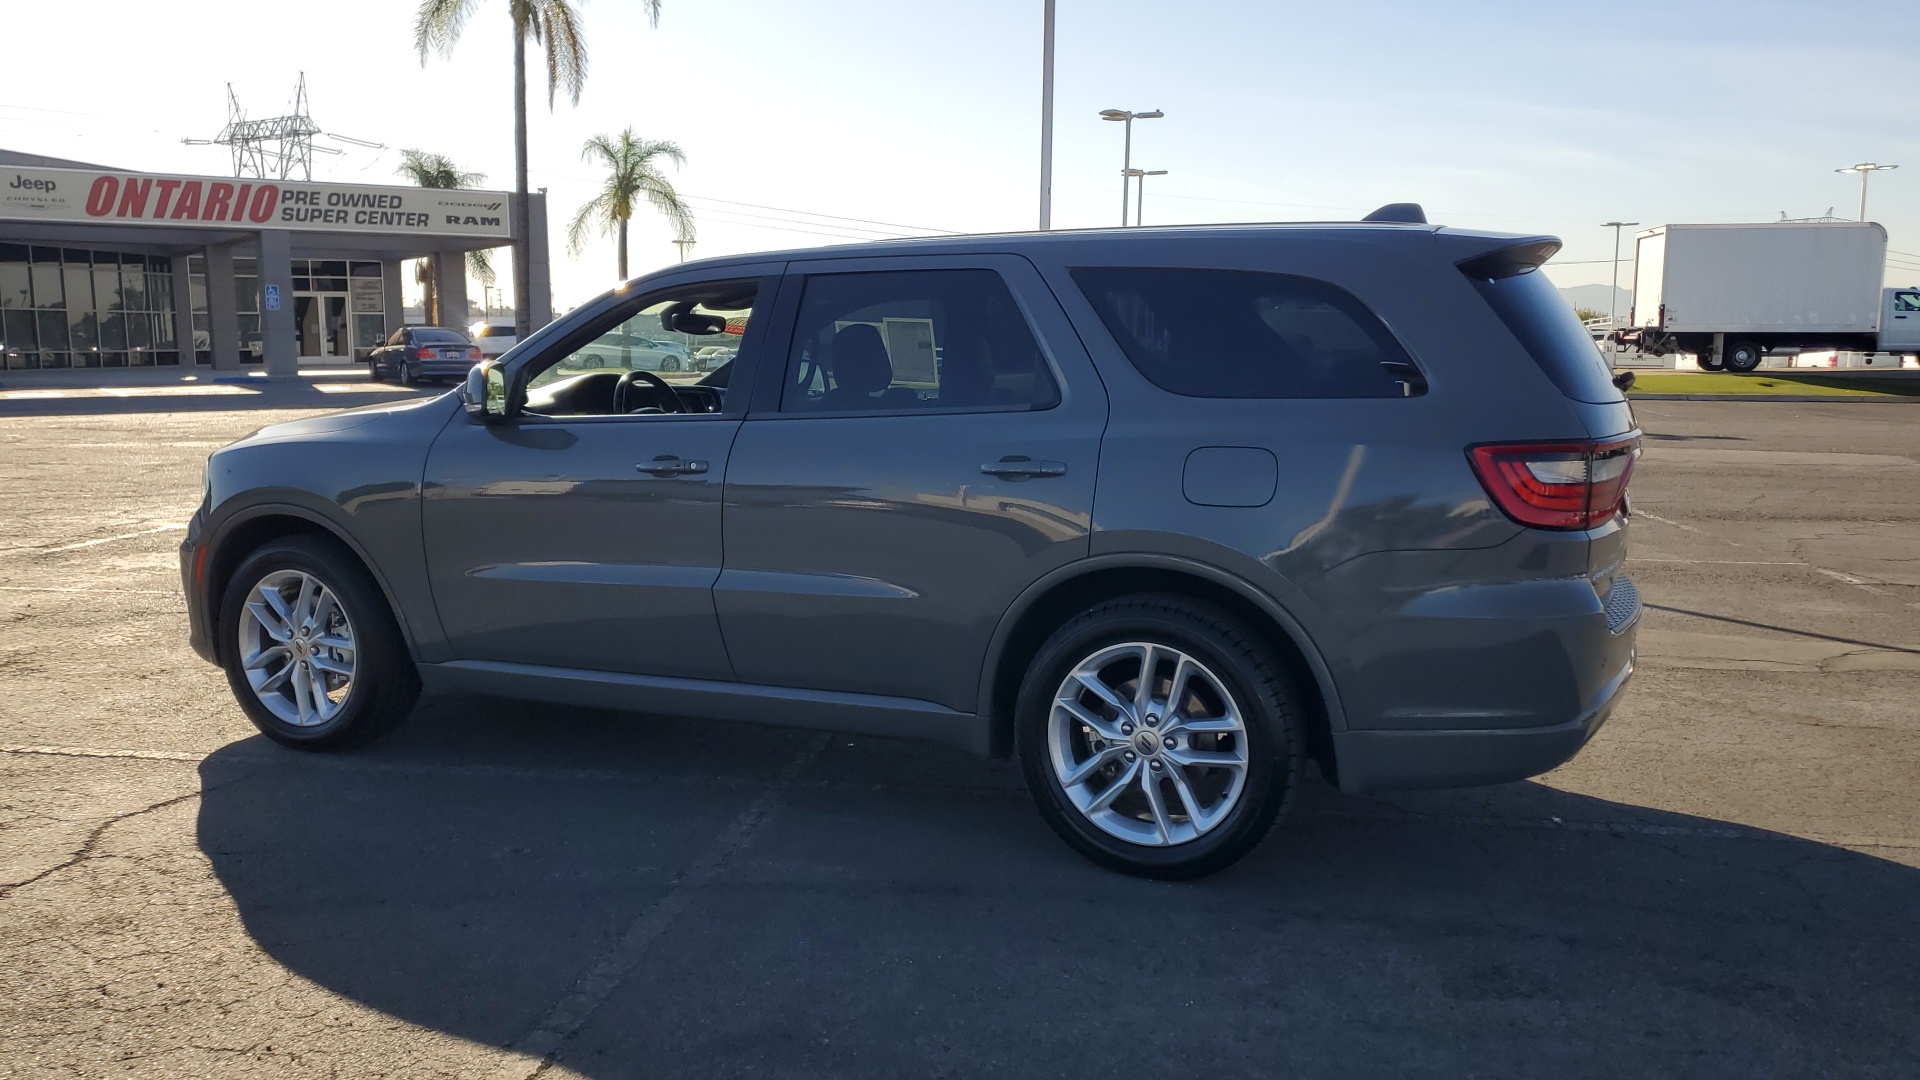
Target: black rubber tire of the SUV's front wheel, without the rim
{"points": [[385, 681]]}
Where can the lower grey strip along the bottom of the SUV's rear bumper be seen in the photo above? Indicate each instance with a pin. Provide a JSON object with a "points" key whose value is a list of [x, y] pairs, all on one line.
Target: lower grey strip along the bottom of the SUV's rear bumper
{"points": [[1403, 760]]}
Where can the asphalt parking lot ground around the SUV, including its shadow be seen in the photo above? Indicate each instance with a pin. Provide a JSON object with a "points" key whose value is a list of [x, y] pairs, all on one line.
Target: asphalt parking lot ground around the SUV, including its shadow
{"points": [[1725, 885]]}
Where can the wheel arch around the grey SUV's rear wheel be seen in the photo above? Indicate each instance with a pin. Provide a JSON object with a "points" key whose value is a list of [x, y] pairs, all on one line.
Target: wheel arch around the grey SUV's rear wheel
{"points": [[1068, 591]]}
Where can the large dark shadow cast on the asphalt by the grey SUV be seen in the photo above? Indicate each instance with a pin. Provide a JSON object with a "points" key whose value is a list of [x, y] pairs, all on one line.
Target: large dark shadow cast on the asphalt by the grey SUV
{"points": [[901, 910]]}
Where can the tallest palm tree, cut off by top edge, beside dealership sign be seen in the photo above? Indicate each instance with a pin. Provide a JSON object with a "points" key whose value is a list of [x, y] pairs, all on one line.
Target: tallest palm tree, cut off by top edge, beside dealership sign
{"points": [[552, 24]]}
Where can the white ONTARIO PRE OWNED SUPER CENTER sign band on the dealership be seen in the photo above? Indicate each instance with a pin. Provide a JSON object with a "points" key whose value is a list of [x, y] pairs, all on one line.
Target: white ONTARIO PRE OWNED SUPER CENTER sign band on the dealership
{"points": [[87, 197]]}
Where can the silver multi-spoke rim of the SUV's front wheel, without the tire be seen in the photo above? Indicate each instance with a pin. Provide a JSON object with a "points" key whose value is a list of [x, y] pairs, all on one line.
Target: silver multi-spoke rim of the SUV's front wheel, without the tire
{"points": [[299, 649]]}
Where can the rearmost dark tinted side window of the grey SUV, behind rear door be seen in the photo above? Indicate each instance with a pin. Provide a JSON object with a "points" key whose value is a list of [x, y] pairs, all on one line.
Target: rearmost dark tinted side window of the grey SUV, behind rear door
{"points": [[1218, 333]]}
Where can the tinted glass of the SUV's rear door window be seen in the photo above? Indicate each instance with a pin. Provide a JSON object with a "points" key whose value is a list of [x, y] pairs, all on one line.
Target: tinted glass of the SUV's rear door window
{"points": [[915, 341]]}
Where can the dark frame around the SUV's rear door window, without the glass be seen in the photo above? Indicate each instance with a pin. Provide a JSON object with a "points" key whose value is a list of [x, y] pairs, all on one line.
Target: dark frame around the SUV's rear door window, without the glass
{"points": [[794, 289]]}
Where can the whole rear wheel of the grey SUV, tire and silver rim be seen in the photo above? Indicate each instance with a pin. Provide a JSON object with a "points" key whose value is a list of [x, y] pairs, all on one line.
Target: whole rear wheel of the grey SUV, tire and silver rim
{"points": [[1159, 737]]}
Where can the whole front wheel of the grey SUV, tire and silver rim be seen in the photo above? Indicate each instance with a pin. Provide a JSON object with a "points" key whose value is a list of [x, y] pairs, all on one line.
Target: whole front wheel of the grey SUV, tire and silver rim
{"points": [[312, 650]]}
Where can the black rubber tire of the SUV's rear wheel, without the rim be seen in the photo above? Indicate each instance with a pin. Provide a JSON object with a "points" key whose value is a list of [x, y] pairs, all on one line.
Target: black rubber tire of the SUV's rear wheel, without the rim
{"points": [[1245, 668]]}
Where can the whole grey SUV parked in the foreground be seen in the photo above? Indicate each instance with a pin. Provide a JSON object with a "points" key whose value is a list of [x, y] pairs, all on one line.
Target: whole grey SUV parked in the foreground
{"points": [[1163, 512]]}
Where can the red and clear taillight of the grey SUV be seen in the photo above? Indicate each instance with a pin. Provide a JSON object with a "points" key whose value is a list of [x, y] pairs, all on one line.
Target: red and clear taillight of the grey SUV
{"points": [[1558, 485]]}
